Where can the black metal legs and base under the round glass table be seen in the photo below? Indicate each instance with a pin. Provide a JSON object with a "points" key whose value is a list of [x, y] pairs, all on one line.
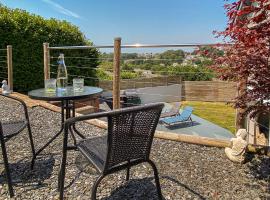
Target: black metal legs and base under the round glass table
{"points": [[67, 107]]}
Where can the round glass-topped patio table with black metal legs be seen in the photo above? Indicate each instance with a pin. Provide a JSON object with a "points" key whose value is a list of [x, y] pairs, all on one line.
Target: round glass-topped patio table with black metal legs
{"points": [[67, 98]]}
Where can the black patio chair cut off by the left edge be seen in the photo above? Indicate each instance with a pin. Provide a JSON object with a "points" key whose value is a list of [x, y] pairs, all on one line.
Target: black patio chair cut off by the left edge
{"points": [[7, 131]]}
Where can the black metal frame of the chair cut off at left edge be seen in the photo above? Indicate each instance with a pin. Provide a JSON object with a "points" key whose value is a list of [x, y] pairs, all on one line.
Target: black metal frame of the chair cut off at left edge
{"points": [[4, 138]]}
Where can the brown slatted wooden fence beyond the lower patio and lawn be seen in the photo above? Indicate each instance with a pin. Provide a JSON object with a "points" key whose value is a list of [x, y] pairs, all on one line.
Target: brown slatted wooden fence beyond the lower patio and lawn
{"points": [[216, 91]]}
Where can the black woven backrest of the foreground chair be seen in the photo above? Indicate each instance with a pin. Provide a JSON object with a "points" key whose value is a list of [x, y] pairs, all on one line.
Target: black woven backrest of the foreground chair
{"points": [[130, 133]]}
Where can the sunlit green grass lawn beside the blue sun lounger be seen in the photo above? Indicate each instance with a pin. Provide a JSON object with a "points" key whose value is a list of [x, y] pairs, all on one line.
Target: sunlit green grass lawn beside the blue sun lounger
{"points": [[218, 113]]}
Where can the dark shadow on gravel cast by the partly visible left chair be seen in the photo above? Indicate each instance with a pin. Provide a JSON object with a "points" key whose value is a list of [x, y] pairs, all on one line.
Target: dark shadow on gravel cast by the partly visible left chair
{"points": [[22, 174]]}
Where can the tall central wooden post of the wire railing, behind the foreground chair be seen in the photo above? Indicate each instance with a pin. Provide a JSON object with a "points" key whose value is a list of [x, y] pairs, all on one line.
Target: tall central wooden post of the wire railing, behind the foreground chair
{"points": [[116, 73]]}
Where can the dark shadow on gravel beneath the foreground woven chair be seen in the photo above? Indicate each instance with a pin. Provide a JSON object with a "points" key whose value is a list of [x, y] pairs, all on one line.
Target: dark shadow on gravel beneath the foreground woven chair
{"points": [[135, 189]]}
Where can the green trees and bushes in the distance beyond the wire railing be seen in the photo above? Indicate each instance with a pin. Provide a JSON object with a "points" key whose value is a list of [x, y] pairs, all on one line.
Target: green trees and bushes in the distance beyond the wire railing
{"points": [[167, 63]]}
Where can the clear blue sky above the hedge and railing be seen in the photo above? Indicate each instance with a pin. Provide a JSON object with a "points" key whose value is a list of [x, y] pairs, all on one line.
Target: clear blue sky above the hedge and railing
{"points": [[135, 21]]}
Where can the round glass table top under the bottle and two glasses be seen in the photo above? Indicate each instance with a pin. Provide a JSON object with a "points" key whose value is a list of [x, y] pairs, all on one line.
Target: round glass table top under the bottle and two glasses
{"points": [[67, 94]]}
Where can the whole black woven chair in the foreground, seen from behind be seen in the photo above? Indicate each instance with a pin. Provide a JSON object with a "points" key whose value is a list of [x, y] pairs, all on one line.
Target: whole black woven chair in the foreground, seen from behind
{"points": [[128, 143]]}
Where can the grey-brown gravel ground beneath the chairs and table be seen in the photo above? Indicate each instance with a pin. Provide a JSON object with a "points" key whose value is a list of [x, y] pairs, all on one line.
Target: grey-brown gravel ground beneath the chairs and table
{"points": [[186, 171]]}
